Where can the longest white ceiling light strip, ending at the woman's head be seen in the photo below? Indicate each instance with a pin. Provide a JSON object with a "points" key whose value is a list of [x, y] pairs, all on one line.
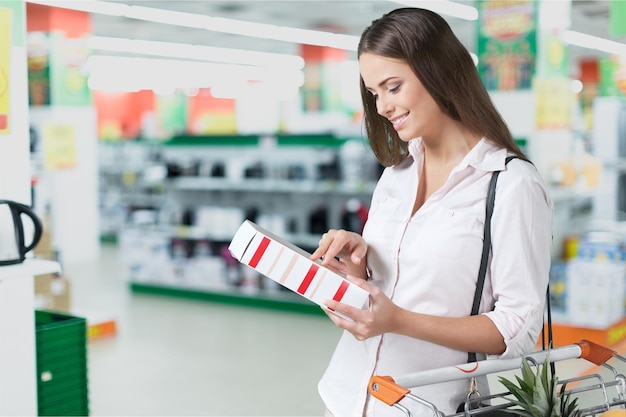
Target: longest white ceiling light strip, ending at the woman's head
{"points": [[218, 24]]}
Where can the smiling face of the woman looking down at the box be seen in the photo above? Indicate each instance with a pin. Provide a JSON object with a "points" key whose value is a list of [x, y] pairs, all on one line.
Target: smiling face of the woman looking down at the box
{"points": [[400, 97]]}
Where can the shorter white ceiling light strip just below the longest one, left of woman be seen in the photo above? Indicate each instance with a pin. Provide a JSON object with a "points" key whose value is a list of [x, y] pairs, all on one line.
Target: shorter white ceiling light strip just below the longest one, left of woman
{"points": [[195, 52]]}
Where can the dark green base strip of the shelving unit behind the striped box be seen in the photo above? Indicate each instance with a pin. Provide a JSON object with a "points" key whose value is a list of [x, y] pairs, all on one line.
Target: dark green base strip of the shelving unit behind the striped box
{"points": [[275, 301]]}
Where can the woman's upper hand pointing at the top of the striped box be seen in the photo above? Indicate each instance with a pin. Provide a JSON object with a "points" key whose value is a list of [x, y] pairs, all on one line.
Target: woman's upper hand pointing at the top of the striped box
{"points": [[343, 251]]}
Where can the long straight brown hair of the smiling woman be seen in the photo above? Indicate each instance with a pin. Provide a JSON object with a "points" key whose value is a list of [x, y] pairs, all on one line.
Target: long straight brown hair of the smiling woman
{"points": [[425, 41]]}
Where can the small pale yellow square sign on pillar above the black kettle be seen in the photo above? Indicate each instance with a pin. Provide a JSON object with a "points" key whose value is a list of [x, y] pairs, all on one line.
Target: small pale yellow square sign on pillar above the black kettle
{"points": [[59, 145]]}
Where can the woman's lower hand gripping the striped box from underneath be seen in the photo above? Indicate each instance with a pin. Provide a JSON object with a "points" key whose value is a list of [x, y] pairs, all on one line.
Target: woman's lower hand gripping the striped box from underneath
{"points": [[382, 316]]}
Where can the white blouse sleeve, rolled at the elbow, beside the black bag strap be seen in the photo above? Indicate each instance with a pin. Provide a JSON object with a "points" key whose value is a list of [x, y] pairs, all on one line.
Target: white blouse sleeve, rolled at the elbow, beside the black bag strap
{"points": [[521, 253]]}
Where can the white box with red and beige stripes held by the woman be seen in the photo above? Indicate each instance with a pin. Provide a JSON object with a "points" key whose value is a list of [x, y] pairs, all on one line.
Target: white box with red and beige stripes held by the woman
{"points": [[291, 267]]}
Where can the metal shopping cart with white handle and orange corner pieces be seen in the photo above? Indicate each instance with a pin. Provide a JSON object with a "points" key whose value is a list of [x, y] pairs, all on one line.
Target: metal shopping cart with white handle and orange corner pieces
{"points": [[600, 393]]}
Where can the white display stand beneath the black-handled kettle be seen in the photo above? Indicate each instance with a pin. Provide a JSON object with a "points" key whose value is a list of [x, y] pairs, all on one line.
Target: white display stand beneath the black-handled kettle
{"points": [[18, 385]]}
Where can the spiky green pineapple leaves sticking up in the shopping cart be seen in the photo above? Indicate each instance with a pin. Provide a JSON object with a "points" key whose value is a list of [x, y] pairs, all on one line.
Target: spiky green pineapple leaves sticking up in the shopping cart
{"points": [[536, 394]]}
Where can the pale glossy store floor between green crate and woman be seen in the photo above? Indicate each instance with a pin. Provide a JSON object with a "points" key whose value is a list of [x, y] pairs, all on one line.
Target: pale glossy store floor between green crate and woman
{"points": [[182, 357]]}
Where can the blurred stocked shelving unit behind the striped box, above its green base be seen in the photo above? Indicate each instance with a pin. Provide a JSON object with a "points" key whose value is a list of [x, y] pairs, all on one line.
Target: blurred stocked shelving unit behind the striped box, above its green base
{"points": [[173, 230]]}
